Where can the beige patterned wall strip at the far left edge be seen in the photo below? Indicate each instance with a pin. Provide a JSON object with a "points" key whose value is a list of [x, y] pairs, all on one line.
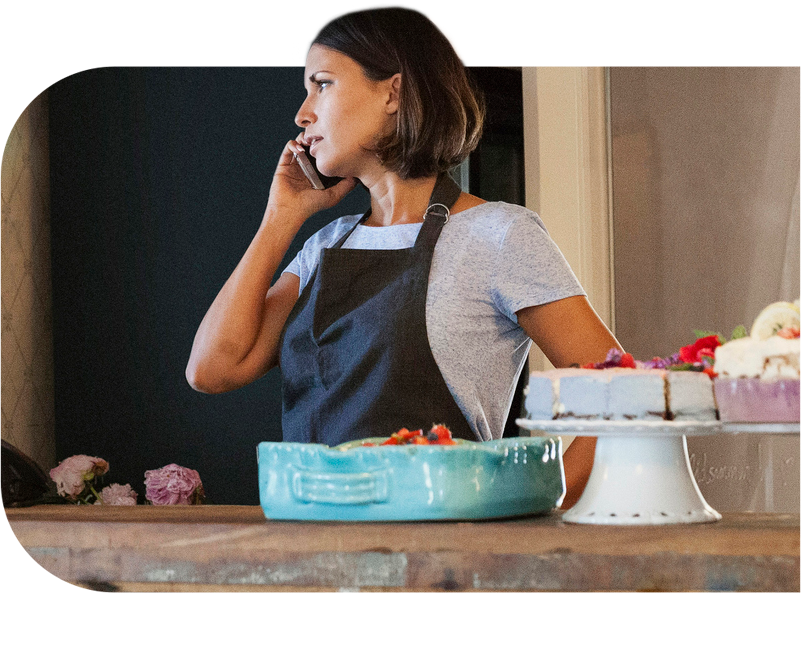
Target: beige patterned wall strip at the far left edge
{"points": [[27, 348]]}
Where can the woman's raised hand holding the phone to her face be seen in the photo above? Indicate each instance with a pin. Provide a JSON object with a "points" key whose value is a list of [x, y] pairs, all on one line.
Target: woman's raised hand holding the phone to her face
{"points": [[292, 192]]}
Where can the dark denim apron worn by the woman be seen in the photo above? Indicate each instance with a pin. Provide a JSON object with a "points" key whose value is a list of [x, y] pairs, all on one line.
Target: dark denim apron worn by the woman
{"points": [[354, 354]]}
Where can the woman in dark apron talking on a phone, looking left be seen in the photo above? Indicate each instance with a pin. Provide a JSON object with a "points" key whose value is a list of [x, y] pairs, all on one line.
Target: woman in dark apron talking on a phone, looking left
{"points": [[420, 311]]}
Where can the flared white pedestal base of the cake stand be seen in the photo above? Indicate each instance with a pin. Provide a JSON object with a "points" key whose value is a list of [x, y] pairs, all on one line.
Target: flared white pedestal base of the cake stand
{"points": [[643, 479]]}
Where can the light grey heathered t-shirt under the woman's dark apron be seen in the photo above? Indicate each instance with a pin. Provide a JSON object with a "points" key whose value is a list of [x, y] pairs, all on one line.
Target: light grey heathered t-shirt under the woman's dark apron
{"points": [[489, 262]]}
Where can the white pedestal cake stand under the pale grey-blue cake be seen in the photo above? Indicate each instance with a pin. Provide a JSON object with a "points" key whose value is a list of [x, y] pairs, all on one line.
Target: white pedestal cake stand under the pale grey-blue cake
{"points": [[641, 473]]}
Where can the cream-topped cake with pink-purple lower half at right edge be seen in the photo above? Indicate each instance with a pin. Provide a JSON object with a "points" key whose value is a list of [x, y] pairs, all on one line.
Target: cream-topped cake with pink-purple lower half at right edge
{"points": [[757, 376]]}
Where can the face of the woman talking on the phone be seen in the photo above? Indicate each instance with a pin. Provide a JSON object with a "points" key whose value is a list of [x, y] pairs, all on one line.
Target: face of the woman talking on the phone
{"points": [[344, 112]]}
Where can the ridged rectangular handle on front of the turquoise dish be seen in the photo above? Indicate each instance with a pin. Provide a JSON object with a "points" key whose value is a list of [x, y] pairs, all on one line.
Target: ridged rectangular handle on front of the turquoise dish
{"points": [[340, 488]]}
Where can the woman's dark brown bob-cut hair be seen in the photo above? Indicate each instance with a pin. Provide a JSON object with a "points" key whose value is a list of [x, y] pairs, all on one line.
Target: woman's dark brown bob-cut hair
{"points": [[441, 111]]}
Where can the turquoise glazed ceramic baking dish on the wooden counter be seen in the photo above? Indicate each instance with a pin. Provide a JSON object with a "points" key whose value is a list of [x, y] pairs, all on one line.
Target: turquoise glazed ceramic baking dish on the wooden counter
{"points": [[469, 481]]}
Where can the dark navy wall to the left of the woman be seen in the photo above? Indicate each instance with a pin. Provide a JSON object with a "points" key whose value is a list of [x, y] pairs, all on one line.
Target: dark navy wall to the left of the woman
{"points": [[159, 179]]}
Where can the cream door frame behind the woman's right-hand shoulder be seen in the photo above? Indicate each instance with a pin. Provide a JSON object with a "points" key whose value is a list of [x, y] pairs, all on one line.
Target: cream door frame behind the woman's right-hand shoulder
{"points": [[568, 160]]}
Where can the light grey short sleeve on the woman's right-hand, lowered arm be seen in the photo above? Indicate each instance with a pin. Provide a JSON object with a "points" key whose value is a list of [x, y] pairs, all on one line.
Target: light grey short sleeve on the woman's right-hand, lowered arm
{"points": [[530, 269]]}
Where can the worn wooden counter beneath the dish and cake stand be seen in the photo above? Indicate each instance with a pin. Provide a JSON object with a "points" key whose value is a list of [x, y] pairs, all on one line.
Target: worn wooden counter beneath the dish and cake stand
{"points": [[234, 548]]}
